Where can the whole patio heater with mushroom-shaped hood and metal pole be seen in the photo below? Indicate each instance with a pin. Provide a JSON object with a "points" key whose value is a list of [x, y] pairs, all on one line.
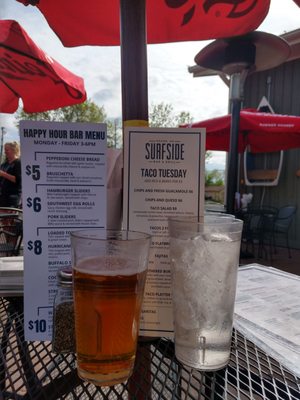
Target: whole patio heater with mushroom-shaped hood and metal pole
{"points": [[237, 57]]}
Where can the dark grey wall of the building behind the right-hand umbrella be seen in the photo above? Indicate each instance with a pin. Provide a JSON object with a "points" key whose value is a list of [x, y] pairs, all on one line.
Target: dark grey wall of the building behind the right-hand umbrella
{"points": [[281, 86]]}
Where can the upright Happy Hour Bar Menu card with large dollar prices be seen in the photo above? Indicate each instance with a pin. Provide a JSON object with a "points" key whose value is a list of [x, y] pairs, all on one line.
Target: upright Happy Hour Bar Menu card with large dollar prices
{"points": [[64, 189]]}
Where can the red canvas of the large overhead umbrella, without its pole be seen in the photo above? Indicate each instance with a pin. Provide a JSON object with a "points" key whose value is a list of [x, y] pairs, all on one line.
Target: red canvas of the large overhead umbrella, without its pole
{"points": [[97, 22]]}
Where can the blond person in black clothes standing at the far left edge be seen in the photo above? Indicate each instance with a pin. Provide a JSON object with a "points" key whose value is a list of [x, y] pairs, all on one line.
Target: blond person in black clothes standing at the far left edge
{"points": [[10, 176]]}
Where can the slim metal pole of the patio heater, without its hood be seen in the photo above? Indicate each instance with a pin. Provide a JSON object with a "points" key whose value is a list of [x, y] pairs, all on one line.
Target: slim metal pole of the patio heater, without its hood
{"points": [[236, 90]]}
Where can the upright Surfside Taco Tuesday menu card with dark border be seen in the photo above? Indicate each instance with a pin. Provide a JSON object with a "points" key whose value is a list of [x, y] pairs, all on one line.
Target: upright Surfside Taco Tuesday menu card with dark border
{"points": [[163, 177]]}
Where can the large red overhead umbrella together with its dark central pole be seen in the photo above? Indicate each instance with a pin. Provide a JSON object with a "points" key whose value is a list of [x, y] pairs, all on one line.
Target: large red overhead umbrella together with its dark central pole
{"points": [[113, 22]]}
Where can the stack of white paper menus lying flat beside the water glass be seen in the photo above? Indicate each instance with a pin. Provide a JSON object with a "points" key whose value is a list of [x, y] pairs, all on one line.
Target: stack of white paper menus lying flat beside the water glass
{"points": [[267, 311]]}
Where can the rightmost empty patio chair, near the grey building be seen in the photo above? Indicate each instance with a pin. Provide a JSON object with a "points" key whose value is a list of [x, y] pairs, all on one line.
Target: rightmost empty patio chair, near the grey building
{"points": [[281, 226]]}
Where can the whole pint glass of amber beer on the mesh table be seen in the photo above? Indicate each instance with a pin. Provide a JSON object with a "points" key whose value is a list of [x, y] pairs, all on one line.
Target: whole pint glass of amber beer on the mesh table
{"points": [[109, 273]]}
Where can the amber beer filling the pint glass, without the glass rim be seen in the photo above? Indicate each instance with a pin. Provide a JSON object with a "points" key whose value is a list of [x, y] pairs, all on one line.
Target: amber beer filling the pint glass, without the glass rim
{"points": [[107, 311]]}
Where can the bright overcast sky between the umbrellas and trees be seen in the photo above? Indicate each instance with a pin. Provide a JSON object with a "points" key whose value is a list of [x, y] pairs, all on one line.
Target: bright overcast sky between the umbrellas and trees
{"points": [[168, 77]]}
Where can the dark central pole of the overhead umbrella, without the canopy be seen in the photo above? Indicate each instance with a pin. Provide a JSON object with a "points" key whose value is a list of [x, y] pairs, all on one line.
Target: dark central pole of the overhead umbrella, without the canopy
{"points": [[134, 80]]}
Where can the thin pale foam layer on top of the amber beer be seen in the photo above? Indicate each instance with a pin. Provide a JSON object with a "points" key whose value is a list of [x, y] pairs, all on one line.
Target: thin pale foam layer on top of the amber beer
{"points": [[110, 266]]}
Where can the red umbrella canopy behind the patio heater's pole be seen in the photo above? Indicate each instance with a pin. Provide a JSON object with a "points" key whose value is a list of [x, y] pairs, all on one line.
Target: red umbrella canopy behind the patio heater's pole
{"points": [[263, 132]]}
